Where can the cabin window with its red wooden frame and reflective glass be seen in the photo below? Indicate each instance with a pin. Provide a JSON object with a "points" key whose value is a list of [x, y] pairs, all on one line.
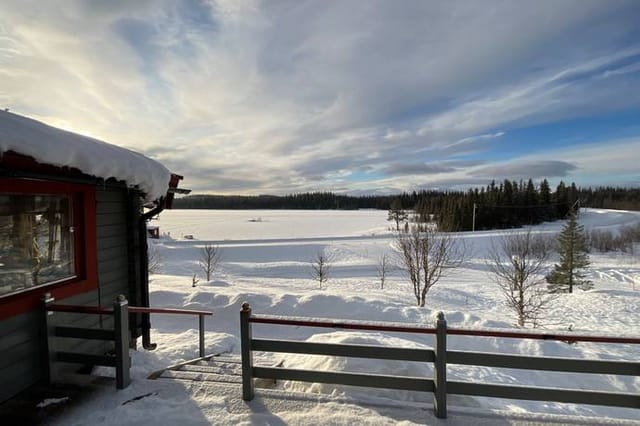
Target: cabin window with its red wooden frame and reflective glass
{"points": [[47, 241]]}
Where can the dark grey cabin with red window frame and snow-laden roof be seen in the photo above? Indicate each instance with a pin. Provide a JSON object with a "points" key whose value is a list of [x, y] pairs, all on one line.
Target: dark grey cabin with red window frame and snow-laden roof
{"points": [[73, 227]]}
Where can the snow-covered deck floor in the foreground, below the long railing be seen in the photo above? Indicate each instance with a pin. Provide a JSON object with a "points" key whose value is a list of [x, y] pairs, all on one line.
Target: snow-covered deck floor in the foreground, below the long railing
{"points": [[164, 402]]}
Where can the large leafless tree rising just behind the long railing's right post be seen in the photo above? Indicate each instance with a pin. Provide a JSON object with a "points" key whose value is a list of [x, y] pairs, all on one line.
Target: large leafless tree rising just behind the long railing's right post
{"points": [[426, 255]]}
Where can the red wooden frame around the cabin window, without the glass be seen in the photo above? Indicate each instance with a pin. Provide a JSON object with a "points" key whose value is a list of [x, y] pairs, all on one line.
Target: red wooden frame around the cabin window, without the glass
{"points": [[85, 244]]}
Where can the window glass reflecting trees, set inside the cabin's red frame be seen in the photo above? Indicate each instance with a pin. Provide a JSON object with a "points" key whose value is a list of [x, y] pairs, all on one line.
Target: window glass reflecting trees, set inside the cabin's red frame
{"points": [[36, 241]]}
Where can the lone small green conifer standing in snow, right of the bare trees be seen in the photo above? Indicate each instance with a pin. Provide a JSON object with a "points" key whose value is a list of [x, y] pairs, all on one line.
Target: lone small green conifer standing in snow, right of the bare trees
{"points": [[574, 258]]}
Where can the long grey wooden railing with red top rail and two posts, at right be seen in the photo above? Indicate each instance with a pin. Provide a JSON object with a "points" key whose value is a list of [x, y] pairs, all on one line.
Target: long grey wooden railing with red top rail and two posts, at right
{"points": [[439, 356]]}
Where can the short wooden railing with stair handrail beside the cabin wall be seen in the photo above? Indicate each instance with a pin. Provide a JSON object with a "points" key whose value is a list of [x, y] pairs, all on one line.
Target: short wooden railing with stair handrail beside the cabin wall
{"points": [[119, 334]]}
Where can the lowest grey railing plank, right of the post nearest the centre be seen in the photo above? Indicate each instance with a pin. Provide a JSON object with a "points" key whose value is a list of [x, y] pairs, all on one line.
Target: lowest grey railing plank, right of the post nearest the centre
{"points": [[545, 394]]}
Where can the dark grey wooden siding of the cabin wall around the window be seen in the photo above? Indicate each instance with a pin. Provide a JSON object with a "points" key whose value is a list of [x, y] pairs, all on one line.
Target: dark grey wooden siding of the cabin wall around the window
{"points": [[20, 340]]}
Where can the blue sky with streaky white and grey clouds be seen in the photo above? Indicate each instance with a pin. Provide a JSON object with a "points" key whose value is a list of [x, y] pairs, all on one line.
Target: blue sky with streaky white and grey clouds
{"points": [[351, 96]]}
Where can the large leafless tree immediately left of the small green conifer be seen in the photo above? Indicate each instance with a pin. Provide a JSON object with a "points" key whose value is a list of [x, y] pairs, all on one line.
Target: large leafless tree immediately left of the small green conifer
{"points": [[517, 262]]}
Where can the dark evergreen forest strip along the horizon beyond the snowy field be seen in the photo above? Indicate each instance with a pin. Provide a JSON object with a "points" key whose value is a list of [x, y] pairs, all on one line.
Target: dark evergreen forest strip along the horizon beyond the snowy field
{"points": [[498, 205]]}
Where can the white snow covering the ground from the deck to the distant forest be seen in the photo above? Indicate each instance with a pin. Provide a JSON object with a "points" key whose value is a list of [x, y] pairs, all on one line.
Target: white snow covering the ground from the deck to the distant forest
{"points": [[266, 261]]}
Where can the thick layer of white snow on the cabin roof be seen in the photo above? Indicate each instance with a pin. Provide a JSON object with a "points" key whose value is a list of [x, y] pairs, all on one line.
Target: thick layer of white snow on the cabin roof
{"points": [[49, 145]]}
